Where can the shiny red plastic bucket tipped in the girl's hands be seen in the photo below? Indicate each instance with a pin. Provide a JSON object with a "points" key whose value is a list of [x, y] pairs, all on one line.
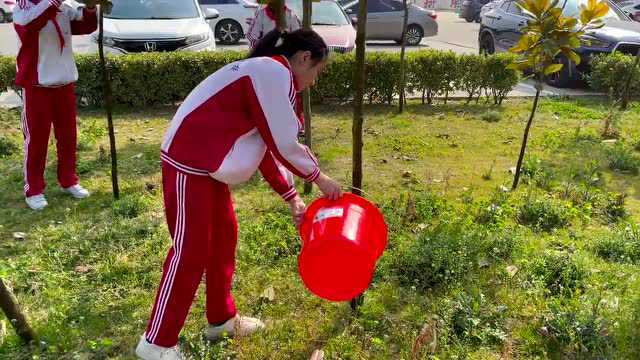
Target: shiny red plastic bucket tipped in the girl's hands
{"points": [[341, 242]]}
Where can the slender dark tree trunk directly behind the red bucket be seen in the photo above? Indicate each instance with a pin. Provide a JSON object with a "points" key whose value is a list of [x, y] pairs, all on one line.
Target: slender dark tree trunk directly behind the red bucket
{"points": [[359, 83]]}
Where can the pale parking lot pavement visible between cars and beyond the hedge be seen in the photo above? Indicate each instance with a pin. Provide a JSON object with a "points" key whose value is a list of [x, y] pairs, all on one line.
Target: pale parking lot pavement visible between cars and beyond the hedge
{"points": [[454, 34]]}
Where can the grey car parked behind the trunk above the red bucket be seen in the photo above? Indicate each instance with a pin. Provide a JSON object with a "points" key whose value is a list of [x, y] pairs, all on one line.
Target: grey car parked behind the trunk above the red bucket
{"points": [[385, 19]]}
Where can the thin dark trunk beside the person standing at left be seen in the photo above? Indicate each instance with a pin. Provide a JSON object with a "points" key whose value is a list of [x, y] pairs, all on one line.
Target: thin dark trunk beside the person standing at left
{"points": [[108, 105]]}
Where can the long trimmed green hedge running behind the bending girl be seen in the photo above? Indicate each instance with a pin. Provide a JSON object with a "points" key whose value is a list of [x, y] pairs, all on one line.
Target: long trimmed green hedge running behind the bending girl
{"points": [[165, 78]]}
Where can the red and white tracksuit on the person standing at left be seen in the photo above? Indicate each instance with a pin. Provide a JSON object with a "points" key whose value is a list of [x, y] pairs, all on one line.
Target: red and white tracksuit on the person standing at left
{"points": [[46, 71]]}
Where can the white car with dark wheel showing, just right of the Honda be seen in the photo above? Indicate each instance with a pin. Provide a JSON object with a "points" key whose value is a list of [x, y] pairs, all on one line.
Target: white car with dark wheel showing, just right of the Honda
{"points": [[233, 23]]}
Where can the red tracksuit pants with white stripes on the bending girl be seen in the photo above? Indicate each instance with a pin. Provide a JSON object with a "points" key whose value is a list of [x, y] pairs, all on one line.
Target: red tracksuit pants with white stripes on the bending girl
{"points": [[203, 226]]}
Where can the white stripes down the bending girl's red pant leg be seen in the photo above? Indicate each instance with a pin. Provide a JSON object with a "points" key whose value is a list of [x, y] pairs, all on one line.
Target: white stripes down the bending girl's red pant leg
{"points": [[168, 286]]}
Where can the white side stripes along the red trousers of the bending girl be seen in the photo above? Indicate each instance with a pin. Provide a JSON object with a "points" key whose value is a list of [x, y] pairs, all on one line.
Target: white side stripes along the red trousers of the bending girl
{"points": [[162, 297]]}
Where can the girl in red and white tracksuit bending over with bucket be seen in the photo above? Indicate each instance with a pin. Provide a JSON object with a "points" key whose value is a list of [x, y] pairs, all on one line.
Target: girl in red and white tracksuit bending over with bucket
{"points": [[238, 120]]}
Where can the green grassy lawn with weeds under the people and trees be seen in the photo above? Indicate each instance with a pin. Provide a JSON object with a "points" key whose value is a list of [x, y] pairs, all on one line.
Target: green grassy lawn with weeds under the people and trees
{"points": [[548, 271]]}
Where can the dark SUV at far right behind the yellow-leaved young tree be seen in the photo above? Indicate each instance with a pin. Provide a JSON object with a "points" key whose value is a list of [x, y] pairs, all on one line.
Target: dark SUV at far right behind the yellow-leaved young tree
{"points": [[501, 30]]}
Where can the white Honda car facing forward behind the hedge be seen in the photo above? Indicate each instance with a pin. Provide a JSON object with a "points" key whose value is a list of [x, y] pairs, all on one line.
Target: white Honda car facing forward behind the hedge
{"points": [[157, 25]]}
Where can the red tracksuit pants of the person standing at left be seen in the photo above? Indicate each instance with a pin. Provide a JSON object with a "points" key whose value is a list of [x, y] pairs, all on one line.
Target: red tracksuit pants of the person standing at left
{"points": [[43, 107]]}
